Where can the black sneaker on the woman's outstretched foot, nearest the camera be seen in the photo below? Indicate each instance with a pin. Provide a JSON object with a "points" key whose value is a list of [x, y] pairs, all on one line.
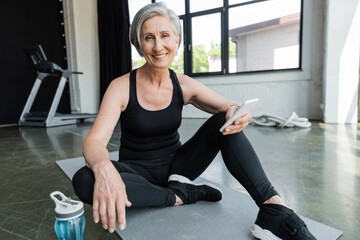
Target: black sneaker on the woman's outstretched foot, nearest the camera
{"points": [[276, 222]]}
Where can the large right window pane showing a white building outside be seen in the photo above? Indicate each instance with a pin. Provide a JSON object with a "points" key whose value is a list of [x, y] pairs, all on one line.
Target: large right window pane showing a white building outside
{"points": [[268, 40]]}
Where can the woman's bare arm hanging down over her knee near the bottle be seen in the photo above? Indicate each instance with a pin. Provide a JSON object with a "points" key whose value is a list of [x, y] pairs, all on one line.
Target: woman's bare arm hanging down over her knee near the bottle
{"points": [[109, 190]]}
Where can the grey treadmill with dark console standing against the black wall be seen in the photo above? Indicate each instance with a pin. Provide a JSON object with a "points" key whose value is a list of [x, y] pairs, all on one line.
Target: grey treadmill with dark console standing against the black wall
{"points": [[44, 68]]}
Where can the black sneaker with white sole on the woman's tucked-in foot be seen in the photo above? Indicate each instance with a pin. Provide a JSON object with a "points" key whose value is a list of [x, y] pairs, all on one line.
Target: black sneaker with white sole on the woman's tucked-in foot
{"points": [[190, 192]]}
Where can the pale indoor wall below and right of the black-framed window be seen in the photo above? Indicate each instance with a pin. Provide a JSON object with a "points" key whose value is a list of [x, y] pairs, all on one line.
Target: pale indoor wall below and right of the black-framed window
{"points": [[281, 93]]}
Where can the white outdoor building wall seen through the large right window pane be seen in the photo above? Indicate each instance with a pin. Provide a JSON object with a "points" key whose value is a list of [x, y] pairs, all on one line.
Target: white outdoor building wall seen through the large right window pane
{"points": [[281, 40]]}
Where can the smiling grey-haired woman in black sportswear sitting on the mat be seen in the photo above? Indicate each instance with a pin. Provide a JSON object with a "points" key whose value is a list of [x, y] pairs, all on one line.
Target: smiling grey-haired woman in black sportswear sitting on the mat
{"points": [[154, 168]]}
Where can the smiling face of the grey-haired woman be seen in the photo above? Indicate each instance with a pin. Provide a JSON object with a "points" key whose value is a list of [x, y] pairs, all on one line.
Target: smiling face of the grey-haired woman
{"points": [[158, 41]]}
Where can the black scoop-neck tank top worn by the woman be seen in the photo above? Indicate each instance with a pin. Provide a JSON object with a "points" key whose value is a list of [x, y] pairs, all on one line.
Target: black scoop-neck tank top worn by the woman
{"points": [[149, 134]]}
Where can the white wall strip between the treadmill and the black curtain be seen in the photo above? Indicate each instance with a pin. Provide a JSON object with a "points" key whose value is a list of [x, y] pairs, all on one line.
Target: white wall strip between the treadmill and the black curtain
{"points": [[80, 17]]}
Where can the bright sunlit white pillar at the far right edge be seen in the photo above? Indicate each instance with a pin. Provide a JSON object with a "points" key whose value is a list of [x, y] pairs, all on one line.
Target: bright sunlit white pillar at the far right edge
{"points": [[341, 61]]}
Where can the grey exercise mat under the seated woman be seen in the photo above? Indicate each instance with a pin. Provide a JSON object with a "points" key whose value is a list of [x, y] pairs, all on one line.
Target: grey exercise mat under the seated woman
{"points": [[229, 219]]}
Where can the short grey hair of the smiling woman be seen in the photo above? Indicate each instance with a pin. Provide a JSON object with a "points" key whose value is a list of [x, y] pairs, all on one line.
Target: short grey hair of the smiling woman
{"points": [[149, 11]]}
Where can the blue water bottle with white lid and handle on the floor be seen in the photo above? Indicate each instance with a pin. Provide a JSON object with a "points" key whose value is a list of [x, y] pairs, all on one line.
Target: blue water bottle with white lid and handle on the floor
{"points": [[70, 219]]}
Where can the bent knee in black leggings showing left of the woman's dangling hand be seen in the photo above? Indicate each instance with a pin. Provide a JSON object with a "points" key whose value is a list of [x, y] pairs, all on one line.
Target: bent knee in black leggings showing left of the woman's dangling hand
{"points": [[83, 183]]}
